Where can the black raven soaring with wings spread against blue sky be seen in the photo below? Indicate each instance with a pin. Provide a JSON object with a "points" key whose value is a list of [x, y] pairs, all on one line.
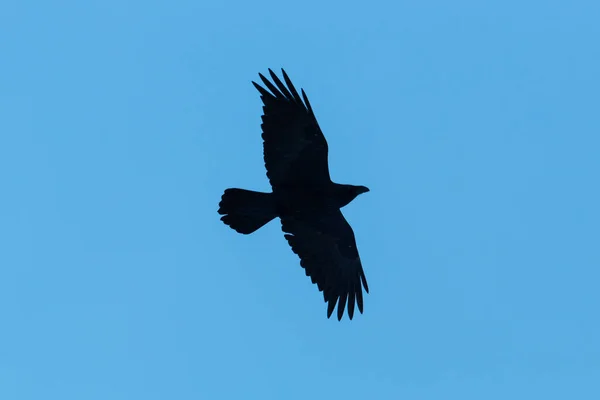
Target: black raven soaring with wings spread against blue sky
{"points": [[303, 197]]}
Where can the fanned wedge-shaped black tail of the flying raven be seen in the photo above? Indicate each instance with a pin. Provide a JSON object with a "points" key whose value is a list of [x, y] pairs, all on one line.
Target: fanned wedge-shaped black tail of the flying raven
{"points": [[245, 210]]}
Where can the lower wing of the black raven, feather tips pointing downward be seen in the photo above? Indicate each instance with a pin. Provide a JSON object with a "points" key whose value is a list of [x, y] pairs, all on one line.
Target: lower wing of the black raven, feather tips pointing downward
{"points": [[327, 249]]}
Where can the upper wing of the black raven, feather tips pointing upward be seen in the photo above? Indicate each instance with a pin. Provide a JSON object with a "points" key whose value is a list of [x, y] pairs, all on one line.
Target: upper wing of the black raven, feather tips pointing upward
{"points": [[295, 150]]}
